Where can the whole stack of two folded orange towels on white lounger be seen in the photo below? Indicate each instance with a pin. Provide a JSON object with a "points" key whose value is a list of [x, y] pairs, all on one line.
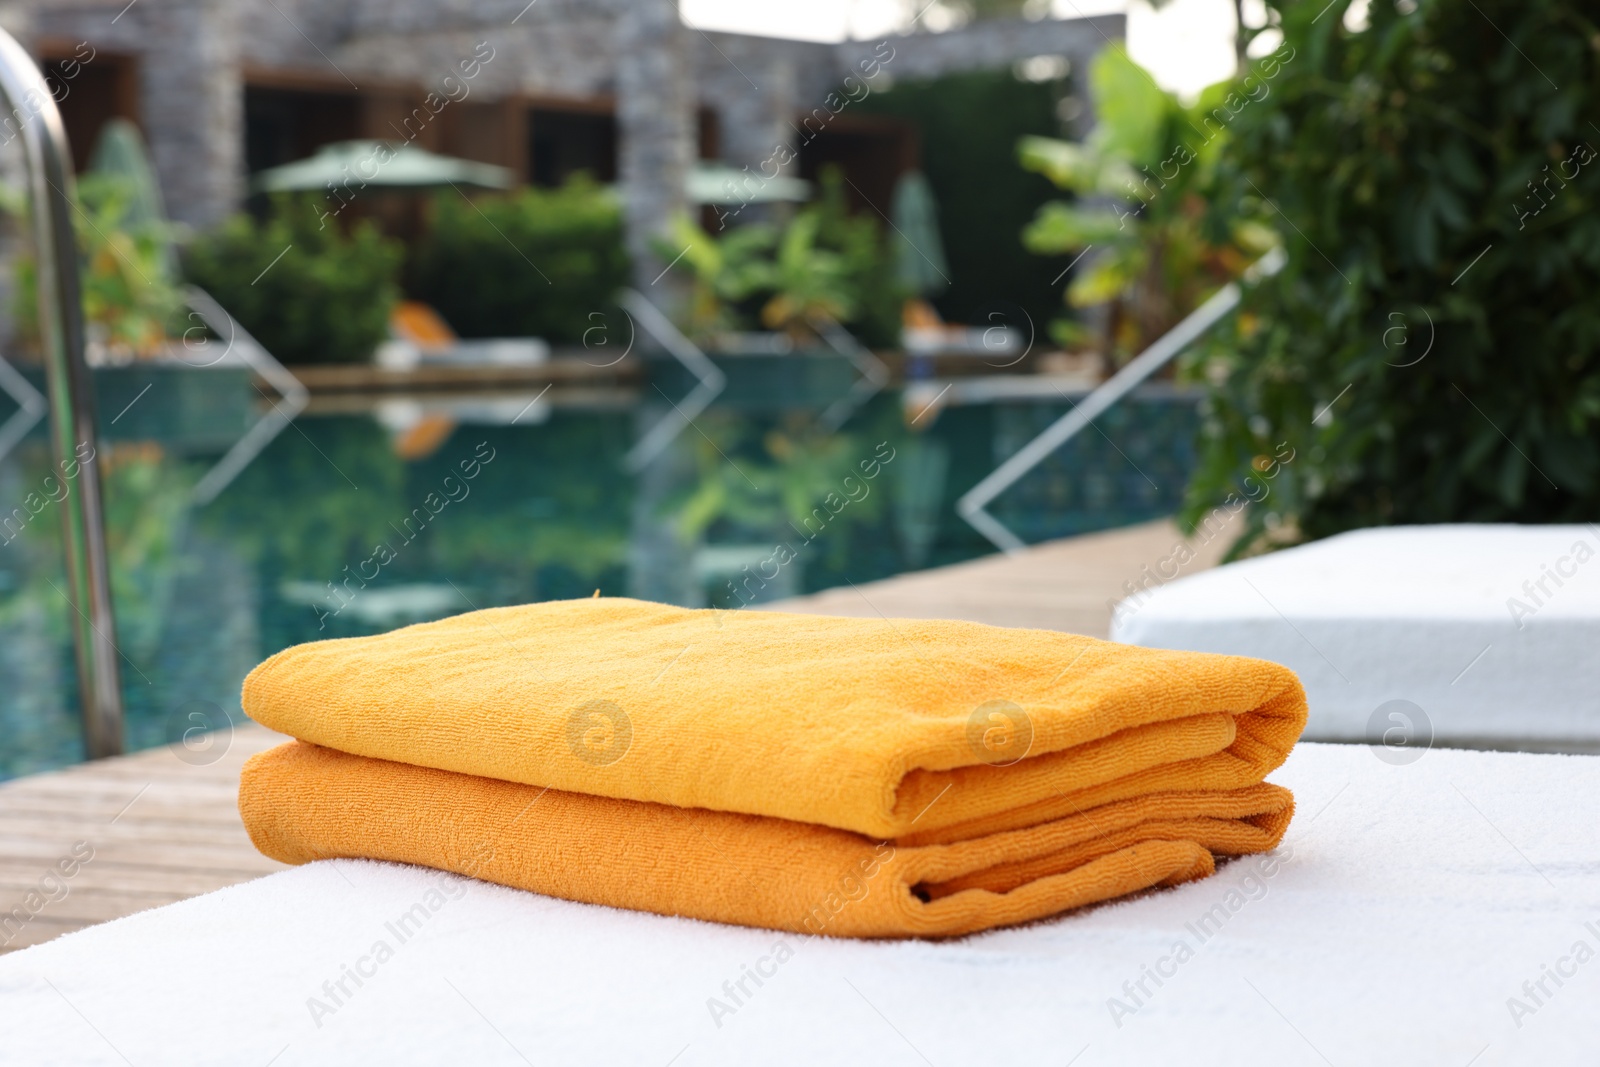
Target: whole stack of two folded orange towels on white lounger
{"points": [[857, 778]]}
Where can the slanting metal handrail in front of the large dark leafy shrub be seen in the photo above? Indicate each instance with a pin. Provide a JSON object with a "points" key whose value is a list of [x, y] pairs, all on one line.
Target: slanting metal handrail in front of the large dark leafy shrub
{"points": [[974, 505]]}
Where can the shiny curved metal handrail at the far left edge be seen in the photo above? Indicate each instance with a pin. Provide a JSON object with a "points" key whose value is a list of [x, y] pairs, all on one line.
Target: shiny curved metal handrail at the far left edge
{"points": [[31, 110]]}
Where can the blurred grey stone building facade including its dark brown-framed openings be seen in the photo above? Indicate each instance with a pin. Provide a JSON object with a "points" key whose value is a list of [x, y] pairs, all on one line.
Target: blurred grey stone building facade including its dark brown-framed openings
{"points": [[218, 82]]}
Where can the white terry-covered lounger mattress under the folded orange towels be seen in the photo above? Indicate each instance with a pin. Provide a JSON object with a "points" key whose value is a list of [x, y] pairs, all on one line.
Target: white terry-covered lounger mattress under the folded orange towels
{"points": [[1414, 917]]}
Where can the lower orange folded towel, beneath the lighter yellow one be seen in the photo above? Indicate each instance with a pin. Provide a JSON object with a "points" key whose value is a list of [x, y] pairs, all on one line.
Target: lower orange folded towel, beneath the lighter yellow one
{"points": [[303, 802]]}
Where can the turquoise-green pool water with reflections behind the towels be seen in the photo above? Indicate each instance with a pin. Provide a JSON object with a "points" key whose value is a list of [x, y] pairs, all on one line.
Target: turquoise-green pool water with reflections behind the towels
{"points": [[366, 516]]}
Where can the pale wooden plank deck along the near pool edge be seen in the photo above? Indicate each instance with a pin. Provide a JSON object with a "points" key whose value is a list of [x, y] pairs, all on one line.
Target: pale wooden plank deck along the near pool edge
{"points": [[161, 829]]}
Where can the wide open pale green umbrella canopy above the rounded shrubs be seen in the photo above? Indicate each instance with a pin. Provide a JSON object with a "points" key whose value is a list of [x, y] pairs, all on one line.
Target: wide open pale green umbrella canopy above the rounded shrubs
{"points": [[382, 164]]}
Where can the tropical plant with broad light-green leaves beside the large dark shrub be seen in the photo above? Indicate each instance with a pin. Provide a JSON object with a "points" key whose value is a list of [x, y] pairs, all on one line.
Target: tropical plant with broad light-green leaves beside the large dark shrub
{"points": [[1142, 180]]}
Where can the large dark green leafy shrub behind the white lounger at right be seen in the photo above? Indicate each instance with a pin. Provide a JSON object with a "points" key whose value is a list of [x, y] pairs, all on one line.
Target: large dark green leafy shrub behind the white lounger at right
{"points": [[1433, 351]]}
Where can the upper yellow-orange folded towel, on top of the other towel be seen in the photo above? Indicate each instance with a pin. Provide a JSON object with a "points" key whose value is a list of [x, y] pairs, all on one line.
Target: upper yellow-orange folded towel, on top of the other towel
{"points": [[900, 730]]}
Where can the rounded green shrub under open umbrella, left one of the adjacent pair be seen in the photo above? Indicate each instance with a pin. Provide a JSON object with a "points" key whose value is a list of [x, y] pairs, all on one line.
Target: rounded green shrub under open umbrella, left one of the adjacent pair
{"points": [[327, 300]]}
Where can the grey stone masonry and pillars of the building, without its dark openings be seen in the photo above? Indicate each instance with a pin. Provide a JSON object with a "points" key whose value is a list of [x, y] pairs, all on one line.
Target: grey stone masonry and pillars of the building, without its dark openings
{"points": [[196, 55]]}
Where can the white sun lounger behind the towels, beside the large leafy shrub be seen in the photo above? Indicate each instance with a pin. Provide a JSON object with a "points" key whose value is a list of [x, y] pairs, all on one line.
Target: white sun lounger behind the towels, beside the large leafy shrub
{"points": [[1479, 633]]}
